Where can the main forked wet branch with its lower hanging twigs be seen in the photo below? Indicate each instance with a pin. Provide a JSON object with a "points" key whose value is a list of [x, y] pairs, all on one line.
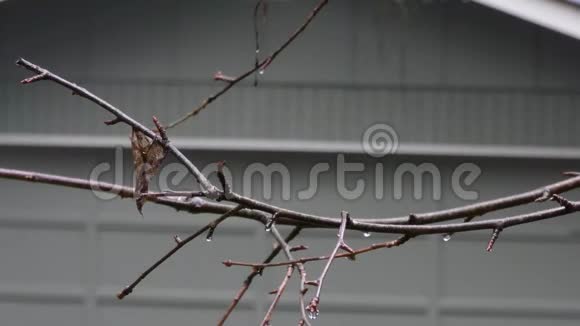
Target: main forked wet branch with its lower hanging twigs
{"points": [[409, 226]]}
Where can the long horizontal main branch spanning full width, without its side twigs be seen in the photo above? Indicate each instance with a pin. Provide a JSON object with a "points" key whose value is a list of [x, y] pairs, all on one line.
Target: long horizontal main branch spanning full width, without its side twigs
{"points": [[255, 210]]}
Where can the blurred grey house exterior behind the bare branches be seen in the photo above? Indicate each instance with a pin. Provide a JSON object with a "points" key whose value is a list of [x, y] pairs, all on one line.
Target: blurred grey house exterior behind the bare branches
{"points": [[490, 83]]}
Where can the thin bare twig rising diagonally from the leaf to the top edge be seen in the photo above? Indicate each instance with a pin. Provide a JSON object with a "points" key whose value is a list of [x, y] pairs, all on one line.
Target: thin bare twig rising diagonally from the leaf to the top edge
{"points": [[260, 66]]}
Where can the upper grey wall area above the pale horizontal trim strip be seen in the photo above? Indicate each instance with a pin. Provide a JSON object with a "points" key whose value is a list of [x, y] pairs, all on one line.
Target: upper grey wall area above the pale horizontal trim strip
{"points": [[445, 72]]}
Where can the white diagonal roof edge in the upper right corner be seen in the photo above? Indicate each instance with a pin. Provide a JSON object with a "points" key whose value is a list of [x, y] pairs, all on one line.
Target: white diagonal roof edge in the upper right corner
{"points": [[556, 15]]}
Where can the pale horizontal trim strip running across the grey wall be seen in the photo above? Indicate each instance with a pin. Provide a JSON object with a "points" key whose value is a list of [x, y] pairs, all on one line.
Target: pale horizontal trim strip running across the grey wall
{"points": [[297, 146]]}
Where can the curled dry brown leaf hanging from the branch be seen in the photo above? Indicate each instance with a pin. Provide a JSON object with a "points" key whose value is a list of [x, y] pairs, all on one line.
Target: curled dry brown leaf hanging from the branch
{"points": [[147, 157]]}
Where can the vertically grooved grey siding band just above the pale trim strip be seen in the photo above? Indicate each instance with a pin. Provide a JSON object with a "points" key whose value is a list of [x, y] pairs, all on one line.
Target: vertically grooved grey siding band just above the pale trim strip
{"points": [[439, 115]]}
